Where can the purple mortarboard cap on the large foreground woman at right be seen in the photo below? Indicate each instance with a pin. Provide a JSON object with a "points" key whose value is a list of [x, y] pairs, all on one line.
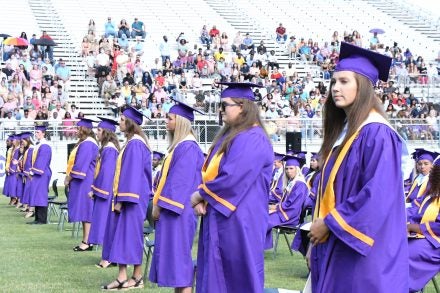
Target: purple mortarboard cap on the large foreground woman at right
{"points": [[370, 64]]}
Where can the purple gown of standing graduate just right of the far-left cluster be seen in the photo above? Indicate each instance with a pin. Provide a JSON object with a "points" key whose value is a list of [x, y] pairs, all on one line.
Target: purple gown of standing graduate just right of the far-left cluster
{"points": [[79, 203]]}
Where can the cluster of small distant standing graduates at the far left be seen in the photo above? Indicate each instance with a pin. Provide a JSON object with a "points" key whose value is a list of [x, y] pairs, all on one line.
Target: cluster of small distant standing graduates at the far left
{"points": [[28, 173]]}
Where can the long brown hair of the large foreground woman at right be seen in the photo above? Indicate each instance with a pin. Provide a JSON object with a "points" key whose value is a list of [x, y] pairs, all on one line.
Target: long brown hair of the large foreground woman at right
{"points": [[334, 118]]}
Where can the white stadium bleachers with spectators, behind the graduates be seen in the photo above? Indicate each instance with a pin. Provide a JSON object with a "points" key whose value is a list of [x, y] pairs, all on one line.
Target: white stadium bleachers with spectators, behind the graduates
{"points": [[295, 75]]}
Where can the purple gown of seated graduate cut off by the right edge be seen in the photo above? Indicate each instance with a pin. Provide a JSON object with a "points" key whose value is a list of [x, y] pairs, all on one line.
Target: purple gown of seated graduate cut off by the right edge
{"points": [[424, 253]]}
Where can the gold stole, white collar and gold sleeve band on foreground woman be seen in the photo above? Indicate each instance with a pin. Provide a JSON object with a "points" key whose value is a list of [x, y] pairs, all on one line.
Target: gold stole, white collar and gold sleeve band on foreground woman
{"points": [[325, 203]]}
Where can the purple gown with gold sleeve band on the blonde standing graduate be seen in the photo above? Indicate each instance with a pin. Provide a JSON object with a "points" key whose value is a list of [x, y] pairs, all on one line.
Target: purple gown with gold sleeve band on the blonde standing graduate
{"points": [[172, 264]]}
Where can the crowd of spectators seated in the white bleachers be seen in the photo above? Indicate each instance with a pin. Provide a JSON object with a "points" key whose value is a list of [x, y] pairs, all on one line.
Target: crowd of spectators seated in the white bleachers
{"points": [[33, 83]]}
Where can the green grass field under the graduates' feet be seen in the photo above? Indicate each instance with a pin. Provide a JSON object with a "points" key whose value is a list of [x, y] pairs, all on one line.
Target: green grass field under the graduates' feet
{"points": [[39, 258]]}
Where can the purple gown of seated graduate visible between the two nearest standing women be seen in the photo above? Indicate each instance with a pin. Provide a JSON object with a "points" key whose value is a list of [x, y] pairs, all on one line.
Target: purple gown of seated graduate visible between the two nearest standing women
{"points": [[288, 211]]}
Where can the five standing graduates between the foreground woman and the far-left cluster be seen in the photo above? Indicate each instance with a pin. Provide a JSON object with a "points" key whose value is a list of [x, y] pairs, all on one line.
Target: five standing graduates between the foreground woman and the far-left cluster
{"points": [[109, 190]]}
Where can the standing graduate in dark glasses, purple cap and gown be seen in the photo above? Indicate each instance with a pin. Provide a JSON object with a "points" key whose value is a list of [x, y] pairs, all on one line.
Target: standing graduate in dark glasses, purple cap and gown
{"points": [[233, 198]]}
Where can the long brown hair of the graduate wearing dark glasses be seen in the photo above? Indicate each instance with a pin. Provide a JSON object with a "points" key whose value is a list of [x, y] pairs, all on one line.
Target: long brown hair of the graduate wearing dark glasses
{"points": [[249, 117]]}
